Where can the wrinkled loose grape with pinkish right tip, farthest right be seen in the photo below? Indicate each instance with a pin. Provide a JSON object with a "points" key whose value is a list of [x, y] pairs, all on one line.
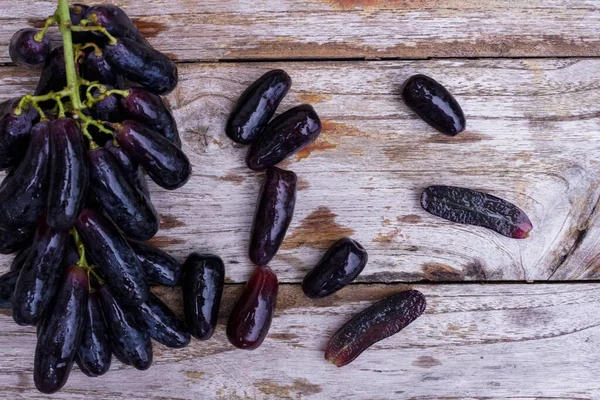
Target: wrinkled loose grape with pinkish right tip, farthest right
{"points": [[467, 206]]}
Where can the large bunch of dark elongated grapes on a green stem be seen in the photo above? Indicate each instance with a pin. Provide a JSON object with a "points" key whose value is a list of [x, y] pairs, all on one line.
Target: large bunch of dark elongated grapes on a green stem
{"points": [[75, 205]]}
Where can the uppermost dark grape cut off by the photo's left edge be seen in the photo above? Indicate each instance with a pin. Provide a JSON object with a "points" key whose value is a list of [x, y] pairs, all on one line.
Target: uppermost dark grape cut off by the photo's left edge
{"points": [[14, 134]]}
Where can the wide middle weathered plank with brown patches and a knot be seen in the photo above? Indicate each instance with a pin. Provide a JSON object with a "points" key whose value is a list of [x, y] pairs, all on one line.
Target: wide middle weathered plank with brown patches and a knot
{"points": [[532, 139]]}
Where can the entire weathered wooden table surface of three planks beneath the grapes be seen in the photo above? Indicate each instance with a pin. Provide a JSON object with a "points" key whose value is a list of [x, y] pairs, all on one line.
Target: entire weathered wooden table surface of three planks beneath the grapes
{"points": [[505, 318]]}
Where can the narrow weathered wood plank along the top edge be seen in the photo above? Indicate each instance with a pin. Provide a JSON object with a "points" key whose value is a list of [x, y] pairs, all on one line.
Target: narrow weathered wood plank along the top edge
{"points": [[212, 30]]}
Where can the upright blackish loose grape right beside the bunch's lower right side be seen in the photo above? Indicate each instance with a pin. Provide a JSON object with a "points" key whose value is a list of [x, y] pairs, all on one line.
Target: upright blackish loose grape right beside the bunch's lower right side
{"points": [[204, 277]]}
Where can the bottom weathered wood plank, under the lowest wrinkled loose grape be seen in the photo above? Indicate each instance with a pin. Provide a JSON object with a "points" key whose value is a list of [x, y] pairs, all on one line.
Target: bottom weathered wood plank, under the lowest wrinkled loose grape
{"points": [[474, 341]]}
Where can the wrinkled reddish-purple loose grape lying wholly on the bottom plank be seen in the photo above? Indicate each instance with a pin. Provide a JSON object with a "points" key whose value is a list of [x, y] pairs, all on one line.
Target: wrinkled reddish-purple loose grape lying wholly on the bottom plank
{"points": [[382, 320]]}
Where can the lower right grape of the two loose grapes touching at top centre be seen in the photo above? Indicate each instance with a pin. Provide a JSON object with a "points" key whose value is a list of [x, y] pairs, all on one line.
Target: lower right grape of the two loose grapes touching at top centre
{"points": [[285, 135]]}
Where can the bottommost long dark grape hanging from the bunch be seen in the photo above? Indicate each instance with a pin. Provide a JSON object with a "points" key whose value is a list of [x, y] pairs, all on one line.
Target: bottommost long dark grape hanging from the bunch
{"points": [[60, 335]]}
